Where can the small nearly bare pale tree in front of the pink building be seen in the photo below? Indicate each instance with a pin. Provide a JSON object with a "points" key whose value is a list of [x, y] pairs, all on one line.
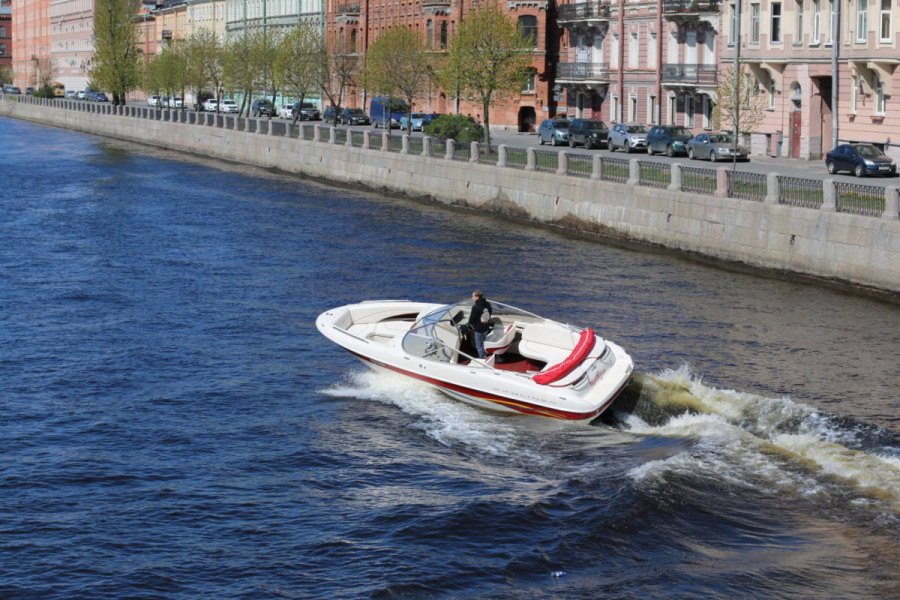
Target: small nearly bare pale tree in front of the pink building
{"points": [[739, 105]]}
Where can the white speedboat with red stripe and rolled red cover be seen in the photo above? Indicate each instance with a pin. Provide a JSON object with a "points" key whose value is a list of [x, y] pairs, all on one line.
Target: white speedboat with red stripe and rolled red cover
{"points": [[534, 365]]}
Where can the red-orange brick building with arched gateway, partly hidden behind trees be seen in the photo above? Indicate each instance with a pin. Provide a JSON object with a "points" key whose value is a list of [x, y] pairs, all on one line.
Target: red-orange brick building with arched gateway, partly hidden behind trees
{"points": [[352, 26]]}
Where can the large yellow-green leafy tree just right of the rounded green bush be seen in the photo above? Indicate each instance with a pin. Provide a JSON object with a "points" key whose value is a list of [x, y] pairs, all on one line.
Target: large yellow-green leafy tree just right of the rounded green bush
{"points": [[488, 58]]}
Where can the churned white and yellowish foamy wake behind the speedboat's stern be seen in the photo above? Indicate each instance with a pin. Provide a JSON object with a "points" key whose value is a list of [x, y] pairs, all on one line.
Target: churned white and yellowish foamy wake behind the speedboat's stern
{"points": [[773, 444]]}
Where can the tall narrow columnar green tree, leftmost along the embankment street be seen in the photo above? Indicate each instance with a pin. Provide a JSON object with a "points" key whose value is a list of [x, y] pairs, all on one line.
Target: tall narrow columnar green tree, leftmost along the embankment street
{"points": [[116, 61]]}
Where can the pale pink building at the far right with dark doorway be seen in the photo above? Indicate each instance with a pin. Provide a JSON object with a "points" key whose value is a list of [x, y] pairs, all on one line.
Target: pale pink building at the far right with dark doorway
{"points": [[827, 68]]}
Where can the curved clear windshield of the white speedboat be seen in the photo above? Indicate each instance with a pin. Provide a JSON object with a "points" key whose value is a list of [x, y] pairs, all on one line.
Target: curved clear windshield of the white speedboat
{"points": [[436, 335]]}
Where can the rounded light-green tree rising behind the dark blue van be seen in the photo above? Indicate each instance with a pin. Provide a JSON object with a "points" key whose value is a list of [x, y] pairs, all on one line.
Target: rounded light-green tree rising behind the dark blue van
{"points": [[397, 67]]}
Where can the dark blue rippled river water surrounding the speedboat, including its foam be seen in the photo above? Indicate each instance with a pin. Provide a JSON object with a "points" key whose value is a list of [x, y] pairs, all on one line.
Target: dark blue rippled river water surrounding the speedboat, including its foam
{"points": [[172, 425]]}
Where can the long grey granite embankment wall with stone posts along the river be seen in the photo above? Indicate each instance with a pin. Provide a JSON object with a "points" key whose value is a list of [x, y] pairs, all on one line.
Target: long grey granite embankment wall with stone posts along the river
{"points": [[816, 243]]}
